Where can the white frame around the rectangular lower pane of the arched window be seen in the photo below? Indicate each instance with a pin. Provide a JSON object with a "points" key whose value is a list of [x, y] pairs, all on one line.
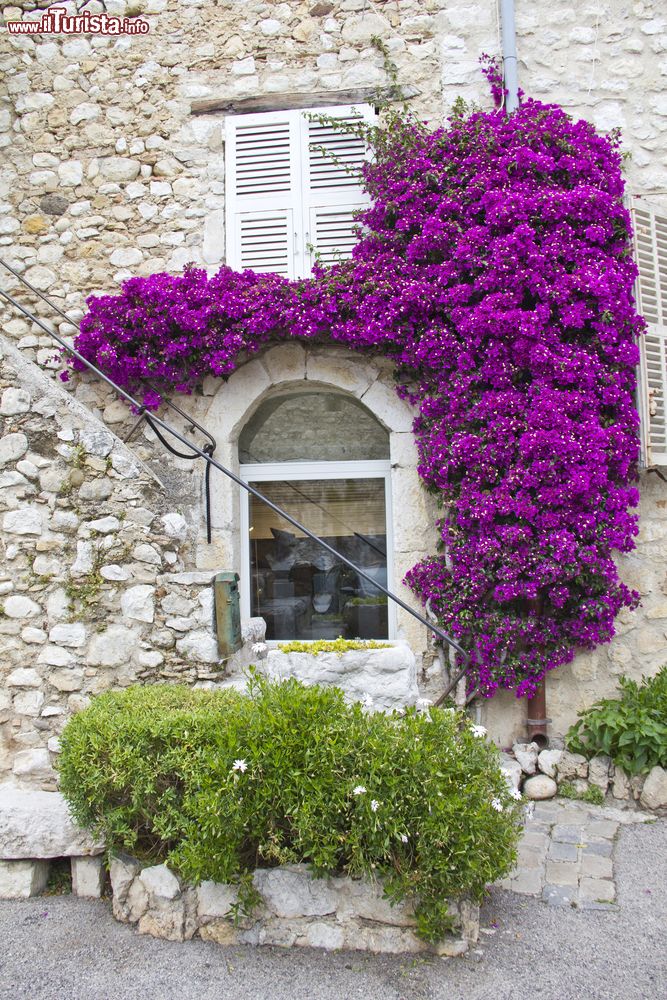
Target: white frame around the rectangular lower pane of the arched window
{"points": [[294, 472]]}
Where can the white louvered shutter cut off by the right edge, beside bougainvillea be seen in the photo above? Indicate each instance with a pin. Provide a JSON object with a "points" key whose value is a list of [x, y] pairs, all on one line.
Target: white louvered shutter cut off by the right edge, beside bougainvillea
{"points": [[650, 233]]}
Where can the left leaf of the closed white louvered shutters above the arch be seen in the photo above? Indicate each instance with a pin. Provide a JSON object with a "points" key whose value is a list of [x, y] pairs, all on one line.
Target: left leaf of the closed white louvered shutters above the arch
{"points": [[263, 193]]}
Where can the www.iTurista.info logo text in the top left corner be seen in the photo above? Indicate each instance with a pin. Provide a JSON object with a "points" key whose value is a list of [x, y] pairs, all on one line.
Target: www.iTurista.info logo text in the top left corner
{"points": [[61, 20]]}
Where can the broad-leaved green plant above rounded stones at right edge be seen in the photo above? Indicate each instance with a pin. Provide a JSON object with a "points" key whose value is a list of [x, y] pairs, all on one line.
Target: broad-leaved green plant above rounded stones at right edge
{"points": [[632, 729]]}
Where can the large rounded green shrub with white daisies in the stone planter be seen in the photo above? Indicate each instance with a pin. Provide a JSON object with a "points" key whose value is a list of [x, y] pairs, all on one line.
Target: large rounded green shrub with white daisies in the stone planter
{"points": [[218, 783]]}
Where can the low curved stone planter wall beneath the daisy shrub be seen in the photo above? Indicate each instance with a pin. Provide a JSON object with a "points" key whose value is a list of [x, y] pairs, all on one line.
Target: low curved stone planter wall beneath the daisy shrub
{"points": [[296, 909]]}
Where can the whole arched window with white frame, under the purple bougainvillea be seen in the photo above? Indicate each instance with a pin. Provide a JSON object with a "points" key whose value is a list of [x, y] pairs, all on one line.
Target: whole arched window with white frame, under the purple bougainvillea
{"points": [[324, 458]]}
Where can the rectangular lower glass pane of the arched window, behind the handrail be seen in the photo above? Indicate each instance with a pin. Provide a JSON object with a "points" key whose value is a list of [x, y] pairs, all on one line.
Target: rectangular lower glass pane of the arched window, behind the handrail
{"points": [[301, 590]]}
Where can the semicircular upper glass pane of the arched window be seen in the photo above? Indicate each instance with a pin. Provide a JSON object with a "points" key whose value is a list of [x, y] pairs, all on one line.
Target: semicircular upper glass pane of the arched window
{"points": [[313, 427]]}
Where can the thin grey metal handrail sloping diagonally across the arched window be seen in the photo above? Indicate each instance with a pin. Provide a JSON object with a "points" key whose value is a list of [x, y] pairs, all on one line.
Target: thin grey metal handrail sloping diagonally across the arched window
{"points": [[154, 422]]}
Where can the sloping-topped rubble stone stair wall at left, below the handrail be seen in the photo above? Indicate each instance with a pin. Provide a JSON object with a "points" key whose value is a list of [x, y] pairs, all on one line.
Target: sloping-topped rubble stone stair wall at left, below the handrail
{"points": [[96, 583]]}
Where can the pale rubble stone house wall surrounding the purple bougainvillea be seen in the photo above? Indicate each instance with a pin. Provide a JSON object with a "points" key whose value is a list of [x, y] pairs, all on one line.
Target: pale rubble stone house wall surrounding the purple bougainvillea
{"points": [[107, 173]]}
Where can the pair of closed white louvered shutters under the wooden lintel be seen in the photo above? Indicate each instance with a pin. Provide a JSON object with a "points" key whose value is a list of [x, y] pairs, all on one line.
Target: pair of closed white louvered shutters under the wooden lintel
{"points": [[285, 197]]}
